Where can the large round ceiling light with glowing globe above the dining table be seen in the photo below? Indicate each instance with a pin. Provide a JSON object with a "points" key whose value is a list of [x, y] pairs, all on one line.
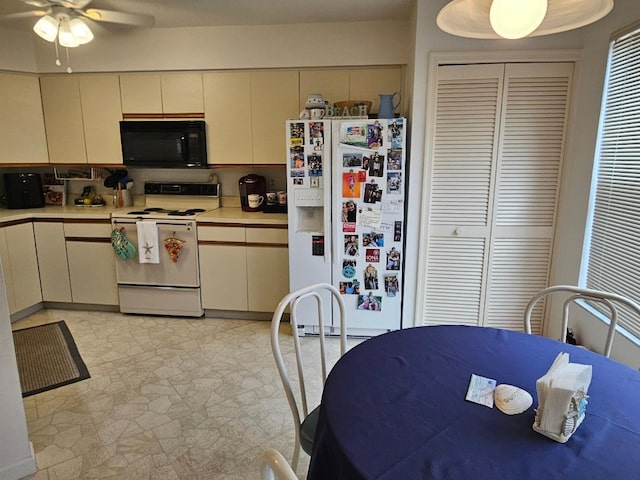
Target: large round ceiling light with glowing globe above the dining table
{"points": [[513, 19]]}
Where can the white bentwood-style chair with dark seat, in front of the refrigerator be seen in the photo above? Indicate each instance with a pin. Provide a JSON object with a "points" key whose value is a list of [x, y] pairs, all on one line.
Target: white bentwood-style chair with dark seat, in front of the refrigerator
{"points": [[324, 295]]}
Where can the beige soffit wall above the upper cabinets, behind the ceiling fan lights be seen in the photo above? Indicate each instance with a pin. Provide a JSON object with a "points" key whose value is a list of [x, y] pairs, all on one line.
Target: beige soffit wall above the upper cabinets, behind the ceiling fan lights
{"points": [[210, 48]]}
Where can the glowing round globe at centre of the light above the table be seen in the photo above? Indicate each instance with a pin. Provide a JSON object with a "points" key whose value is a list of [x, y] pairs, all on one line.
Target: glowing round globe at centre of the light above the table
{"points": [[516, 18]]}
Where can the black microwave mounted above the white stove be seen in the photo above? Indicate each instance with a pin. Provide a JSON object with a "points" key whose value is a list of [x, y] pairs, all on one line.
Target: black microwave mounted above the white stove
{"points": [[164, 144]]}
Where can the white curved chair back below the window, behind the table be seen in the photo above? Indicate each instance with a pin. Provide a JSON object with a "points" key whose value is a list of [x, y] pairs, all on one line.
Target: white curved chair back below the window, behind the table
{"points": [[575, 294]]}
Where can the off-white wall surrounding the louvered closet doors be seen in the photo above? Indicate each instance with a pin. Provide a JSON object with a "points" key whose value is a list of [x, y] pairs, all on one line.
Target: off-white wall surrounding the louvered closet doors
{"points": [[593, 40]]}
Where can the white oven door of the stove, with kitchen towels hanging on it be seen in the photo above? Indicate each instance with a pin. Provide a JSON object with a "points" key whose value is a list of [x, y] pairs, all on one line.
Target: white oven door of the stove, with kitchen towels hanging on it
{"points": [[184, 272]]}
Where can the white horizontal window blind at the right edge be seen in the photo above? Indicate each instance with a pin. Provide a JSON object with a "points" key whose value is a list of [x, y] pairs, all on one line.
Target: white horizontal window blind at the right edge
{"points": [[613, 249]]}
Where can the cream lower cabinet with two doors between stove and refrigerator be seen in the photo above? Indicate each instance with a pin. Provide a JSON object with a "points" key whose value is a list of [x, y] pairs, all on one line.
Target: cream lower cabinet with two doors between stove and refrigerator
{"points": [[243, 268]]}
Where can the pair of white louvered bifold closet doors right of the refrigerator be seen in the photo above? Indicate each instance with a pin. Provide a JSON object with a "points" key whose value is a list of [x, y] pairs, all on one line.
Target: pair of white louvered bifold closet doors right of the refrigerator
{"points": [[485, 274]]}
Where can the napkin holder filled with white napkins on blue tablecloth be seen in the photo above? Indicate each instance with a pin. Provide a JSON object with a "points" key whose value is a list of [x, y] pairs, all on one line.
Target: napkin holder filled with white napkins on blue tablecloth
{"points": [[562, 398]]}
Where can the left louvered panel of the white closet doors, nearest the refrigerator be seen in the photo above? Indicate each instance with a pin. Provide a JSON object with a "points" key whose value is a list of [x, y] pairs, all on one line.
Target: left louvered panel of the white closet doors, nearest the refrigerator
{"points": [[462, 175]]}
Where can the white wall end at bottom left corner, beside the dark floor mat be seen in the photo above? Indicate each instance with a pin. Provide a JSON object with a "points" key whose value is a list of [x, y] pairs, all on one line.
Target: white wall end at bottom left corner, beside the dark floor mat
{"points": [[16, 456]]}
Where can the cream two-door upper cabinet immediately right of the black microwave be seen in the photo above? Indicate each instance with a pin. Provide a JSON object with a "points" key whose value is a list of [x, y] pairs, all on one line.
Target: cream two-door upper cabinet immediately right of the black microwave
{"points": [[245, 112]]}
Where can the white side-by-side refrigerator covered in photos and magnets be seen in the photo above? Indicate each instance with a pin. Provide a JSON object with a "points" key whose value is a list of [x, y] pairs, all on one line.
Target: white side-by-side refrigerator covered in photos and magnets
{"points": [[346, 195]]}
